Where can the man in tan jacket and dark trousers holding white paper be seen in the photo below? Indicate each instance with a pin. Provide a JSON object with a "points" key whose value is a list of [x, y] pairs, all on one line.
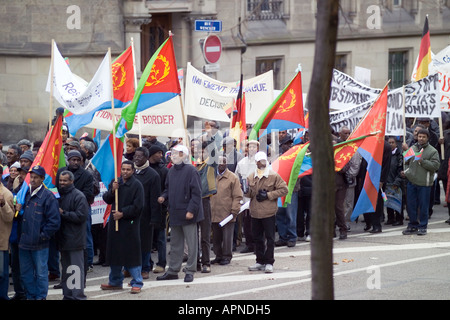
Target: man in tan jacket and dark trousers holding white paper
{"points": [[226, 201]]}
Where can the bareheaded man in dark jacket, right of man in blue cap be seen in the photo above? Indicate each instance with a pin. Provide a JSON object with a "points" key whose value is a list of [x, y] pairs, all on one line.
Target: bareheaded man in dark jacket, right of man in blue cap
{"points": [[71, 237]]}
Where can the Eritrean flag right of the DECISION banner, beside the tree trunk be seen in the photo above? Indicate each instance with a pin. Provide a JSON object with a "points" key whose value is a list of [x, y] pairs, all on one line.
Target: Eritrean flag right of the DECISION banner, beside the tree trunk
{"points": [[286, 112]]}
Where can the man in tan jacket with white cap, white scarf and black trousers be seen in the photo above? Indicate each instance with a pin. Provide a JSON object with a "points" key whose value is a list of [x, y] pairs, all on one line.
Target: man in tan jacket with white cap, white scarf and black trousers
{"points": [[265, 187]]}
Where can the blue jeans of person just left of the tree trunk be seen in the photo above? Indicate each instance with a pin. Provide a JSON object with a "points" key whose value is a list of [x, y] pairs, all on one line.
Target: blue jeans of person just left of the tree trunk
{"points": [[287, 220]]}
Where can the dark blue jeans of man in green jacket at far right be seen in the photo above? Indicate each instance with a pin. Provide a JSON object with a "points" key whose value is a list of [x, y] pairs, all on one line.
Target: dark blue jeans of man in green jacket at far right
{"points": [[417, 198]]}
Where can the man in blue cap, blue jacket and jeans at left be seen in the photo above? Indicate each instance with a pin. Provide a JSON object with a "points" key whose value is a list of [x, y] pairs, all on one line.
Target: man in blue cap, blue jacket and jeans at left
{"points": [[40, 221]]}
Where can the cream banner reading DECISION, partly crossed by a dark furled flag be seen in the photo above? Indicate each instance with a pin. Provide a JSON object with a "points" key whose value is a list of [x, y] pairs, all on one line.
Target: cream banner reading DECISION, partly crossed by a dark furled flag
{"points": [[208, 98]]}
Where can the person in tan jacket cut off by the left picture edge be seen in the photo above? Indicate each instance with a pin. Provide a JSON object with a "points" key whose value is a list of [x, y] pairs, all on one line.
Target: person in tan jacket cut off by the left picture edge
{"points": [[6, 218]]}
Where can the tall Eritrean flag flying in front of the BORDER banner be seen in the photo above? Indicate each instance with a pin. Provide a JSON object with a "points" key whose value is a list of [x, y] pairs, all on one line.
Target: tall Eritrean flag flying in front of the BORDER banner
{"points": [[159, 83]]}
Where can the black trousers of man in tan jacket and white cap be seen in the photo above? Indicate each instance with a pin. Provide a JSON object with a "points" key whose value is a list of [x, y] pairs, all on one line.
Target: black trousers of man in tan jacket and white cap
{"points": [[263, 230]]}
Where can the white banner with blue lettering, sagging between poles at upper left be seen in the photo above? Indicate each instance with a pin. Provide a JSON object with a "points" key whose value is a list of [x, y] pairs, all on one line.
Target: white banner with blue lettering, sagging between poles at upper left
{"points": [[72, 94]]}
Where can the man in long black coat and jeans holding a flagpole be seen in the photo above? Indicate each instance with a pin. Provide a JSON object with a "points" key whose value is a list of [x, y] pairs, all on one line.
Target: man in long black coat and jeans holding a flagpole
{"points": [[123, 248]]}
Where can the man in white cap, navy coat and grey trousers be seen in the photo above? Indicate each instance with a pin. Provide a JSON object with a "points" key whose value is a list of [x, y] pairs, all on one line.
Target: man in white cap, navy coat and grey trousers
{"points": [[183, 192]]}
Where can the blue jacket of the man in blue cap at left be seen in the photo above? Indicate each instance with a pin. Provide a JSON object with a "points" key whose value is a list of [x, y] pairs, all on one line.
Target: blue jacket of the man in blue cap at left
{"points": [[40, 220]]}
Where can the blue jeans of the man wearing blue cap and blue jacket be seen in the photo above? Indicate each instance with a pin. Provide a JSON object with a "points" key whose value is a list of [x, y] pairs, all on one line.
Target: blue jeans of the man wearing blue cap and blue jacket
{"points": [[34, 272]]}
